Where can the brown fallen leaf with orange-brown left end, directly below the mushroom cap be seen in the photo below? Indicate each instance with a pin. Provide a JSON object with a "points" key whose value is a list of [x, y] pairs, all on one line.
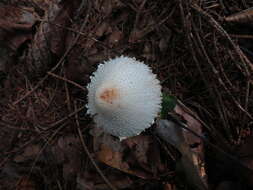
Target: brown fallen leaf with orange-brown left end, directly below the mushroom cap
{"points": [[138, 156]]}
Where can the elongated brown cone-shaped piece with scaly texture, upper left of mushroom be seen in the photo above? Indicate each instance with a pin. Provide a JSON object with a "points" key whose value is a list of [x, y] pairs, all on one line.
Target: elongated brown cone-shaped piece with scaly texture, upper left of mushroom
{"points": [[51, 38]]}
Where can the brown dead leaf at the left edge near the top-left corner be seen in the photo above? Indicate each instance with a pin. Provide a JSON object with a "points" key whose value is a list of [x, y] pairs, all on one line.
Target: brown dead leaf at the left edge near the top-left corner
{"points": [[15, 29]]}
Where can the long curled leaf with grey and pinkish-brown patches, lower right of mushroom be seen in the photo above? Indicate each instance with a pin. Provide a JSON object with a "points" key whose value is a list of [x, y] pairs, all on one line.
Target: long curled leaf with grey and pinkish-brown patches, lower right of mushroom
{"points": [[189, 145]]}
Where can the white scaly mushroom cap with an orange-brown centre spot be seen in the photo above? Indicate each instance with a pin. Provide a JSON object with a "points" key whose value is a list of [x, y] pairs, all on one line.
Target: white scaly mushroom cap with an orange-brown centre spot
{"points": [[124, 96]]}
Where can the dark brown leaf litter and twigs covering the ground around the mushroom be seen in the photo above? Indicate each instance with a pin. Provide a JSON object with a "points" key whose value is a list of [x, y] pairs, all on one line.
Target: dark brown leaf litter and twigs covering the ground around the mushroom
{"points": [[48, 48]]}
